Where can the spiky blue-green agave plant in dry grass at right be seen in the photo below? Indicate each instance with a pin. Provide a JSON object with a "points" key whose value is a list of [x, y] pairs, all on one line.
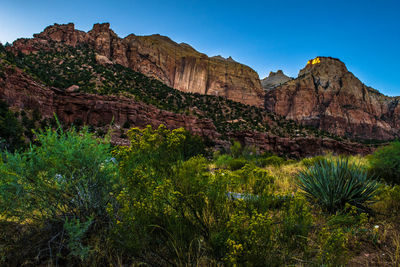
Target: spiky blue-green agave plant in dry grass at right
{"points": [[335, 183]]}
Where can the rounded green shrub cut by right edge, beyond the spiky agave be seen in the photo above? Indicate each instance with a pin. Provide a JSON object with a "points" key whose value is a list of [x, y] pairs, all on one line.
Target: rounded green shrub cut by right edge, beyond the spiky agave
{"points": [[385, 163]]}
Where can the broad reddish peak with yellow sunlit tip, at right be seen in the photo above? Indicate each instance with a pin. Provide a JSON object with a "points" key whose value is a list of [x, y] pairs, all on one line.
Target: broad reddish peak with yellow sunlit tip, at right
{"points": [[329, 97]]}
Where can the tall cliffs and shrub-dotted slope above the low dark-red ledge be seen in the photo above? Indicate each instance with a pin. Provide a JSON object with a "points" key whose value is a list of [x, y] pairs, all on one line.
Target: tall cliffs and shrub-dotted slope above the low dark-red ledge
{"points": [[325, 95]]}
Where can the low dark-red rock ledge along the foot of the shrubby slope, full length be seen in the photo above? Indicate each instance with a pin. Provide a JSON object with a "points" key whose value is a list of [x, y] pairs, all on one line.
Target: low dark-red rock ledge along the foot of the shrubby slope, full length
{"points": [[20, 91]]}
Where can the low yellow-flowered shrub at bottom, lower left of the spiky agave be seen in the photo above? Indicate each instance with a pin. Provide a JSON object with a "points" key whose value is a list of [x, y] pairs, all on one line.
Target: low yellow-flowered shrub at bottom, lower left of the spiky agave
{"points": [[256, 237]]}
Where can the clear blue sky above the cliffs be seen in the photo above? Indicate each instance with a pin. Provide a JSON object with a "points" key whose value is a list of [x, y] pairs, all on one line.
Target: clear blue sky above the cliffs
{"points": [[265, 35]]}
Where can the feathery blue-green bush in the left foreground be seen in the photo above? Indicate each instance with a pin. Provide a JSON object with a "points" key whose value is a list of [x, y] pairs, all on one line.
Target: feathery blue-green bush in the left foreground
{"points": [[58, 190]]}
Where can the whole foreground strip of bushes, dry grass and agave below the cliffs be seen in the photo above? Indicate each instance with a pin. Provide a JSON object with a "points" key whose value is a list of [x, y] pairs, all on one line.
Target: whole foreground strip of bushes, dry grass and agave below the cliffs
{"points": [[70, 198]]}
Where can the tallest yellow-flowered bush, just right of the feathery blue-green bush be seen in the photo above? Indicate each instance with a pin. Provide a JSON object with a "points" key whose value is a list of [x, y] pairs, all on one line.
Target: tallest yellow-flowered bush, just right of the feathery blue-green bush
{"points": [[170, 211]]}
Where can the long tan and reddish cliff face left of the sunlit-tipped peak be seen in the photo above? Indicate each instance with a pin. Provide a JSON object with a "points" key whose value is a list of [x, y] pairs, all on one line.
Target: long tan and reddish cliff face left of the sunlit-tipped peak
{"points": [[177, 65]]}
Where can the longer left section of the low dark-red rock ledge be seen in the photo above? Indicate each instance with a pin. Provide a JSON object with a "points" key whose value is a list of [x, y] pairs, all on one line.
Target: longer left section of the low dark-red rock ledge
{"points": [[22, 92]]}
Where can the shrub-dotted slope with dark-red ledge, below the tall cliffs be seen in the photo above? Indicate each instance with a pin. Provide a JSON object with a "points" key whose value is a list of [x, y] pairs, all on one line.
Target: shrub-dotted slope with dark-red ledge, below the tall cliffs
{"points": [[80, 90]]}
